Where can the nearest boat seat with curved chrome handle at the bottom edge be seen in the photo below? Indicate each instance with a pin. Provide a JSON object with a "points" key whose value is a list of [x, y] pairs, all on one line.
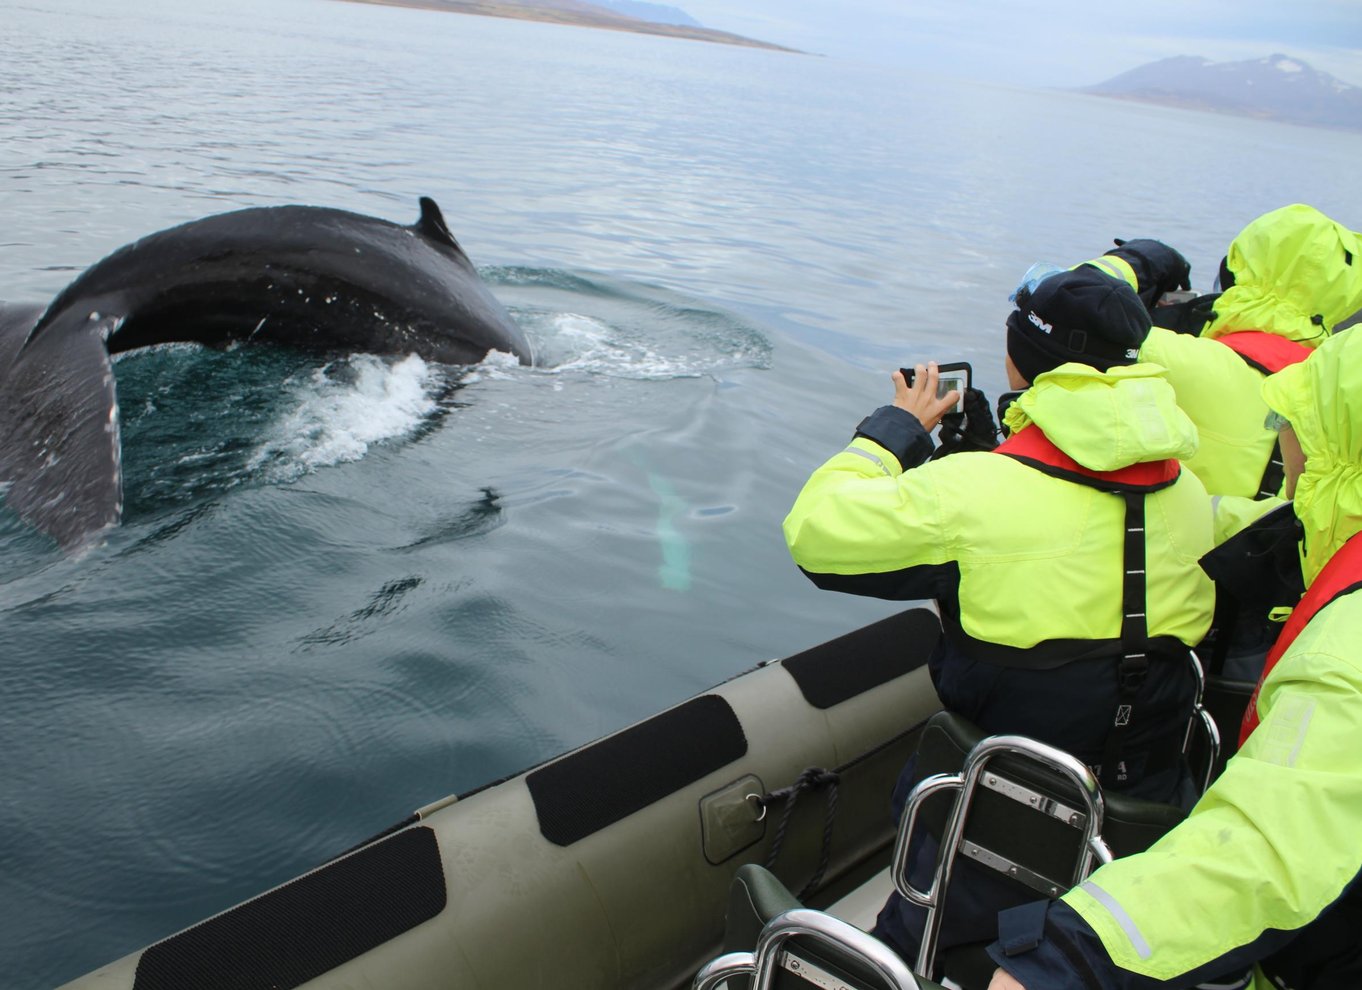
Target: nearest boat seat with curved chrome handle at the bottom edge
{"points": [[797, 948]]}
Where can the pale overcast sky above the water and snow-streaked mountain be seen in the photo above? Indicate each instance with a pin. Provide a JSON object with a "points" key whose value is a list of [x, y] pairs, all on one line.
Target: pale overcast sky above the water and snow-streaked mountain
{"points": [[1049, 43]]}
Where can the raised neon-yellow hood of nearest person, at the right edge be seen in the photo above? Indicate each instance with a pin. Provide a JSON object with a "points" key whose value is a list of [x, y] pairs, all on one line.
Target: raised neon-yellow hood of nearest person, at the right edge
{"points": [[1322, 398]]}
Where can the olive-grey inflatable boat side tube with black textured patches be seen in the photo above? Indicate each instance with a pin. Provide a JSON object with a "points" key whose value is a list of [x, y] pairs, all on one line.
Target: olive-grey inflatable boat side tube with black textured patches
{"points": [[608, 868]]}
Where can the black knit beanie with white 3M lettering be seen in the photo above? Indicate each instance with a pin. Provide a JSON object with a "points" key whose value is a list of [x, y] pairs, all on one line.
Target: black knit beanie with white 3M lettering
{"points": [[1081, 315]]}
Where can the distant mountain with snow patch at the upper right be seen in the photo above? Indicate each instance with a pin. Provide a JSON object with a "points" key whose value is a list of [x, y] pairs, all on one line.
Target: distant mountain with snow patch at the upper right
{"points": [[1277, 88]]}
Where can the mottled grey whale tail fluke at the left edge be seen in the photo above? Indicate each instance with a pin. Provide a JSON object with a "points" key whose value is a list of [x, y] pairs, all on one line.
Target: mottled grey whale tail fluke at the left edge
{"points": [[59, 435]]}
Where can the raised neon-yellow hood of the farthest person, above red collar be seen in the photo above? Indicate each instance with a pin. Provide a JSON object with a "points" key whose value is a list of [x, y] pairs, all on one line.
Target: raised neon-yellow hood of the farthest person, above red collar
{"points": [[1296, 274]]}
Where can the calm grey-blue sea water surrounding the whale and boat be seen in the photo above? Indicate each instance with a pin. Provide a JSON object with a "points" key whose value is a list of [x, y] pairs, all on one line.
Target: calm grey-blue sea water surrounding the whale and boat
{"points": [[351, 585]]}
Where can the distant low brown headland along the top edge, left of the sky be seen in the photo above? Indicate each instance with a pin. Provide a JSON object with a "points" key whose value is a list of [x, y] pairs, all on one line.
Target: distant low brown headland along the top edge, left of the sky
{"points": [[590, 16]]}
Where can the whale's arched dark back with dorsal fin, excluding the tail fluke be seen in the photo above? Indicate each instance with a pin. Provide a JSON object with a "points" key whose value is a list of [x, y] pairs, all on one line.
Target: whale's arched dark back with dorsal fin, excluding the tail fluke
{"points": [[300, 276]]}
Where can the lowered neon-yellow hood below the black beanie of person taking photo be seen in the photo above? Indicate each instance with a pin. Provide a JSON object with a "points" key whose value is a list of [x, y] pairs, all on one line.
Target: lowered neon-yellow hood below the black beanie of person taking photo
{"points": [[1107, 420]]}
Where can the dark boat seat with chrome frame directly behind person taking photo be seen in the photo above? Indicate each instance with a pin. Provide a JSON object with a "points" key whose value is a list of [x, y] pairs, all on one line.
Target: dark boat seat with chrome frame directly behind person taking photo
{"points": [[1021, 808]]}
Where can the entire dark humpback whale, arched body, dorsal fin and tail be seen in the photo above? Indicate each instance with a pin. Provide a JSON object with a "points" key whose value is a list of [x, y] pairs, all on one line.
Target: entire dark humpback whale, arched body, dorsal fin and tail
{"points": [[303, 277]]}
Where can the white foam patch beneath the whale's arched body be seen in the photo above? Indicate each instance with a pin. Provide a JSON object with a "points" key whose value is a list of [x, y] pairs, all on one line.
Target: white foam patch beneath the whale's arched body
{"points": [[344, 409]]}
